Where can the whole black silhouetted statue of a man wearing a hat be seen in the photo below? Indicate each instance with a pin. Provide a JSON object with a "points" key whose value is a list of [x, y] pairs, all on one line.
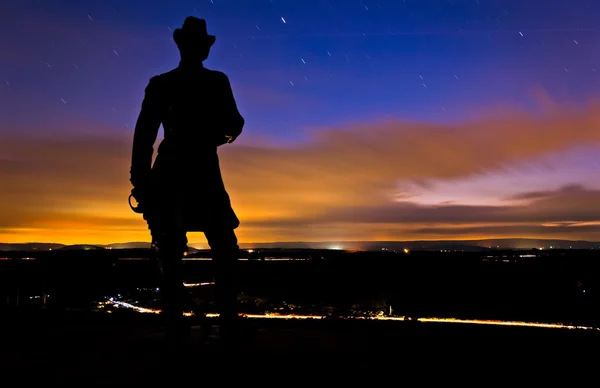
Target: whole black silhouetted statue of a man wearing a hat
{"points": [[183, 191]]}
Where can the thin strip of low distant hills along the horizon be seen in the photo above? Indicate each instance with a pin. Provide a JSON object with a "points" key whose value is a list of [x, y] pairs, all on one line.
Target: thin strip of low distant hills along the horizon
{"points": [[464, 245]]}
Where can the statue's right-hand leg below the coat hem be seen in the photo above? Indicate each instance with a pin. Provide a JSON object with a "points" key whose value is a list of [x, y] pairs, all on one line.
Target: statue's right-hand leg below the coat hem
{"points": [[225, 253]]}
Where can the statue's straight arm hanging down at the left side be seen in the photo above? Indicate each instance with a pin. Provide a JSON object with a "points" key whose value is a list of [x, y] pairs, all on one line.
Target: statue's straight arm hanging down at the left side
{"points": [[145, 134]]}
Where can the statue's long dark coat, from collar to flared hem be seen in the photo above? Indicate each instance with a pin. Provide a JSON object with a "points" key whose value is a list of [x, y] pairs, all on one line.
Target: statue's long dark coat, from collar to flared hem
{"points": [[198, 113]]}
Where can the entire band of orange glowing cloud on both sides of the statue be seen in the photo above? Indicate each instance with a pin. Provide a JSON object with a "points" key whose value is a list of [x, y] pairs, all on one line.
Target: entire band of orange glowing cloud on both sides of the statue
{"points": [[343, 183]]}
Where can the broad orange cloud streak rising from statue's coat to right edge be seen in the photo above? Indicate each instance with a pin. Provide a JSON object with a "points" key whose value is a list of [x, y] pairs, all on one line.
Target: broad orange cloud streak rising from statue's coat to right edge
{"points": [[363, 164]]}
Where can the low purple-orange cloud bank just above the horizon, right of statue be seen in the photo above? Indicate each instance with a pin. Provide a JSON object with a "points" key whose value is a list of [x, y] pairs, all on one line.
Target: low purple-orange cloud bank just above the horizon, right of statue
{"points": [[569, 212]]}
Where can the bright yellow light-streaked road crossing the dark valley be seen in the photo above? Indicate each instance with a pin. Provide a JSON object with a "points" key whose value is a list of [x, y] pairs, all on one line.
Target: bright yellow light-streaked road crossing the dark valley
{"points": [[381, 318]]}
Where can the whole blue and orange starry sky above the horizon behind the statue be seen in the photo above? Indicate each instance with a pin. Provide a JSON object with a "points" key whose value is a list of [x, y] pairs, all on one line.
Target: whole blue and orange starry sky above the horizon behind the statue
{"points": [[457, 105]]}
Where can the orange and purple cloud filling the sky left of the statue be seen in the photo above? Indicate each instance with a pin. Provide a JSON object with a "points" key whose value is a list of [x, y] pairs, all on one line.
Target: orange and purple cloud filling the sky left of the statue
{"points": [[59, 175]]}
